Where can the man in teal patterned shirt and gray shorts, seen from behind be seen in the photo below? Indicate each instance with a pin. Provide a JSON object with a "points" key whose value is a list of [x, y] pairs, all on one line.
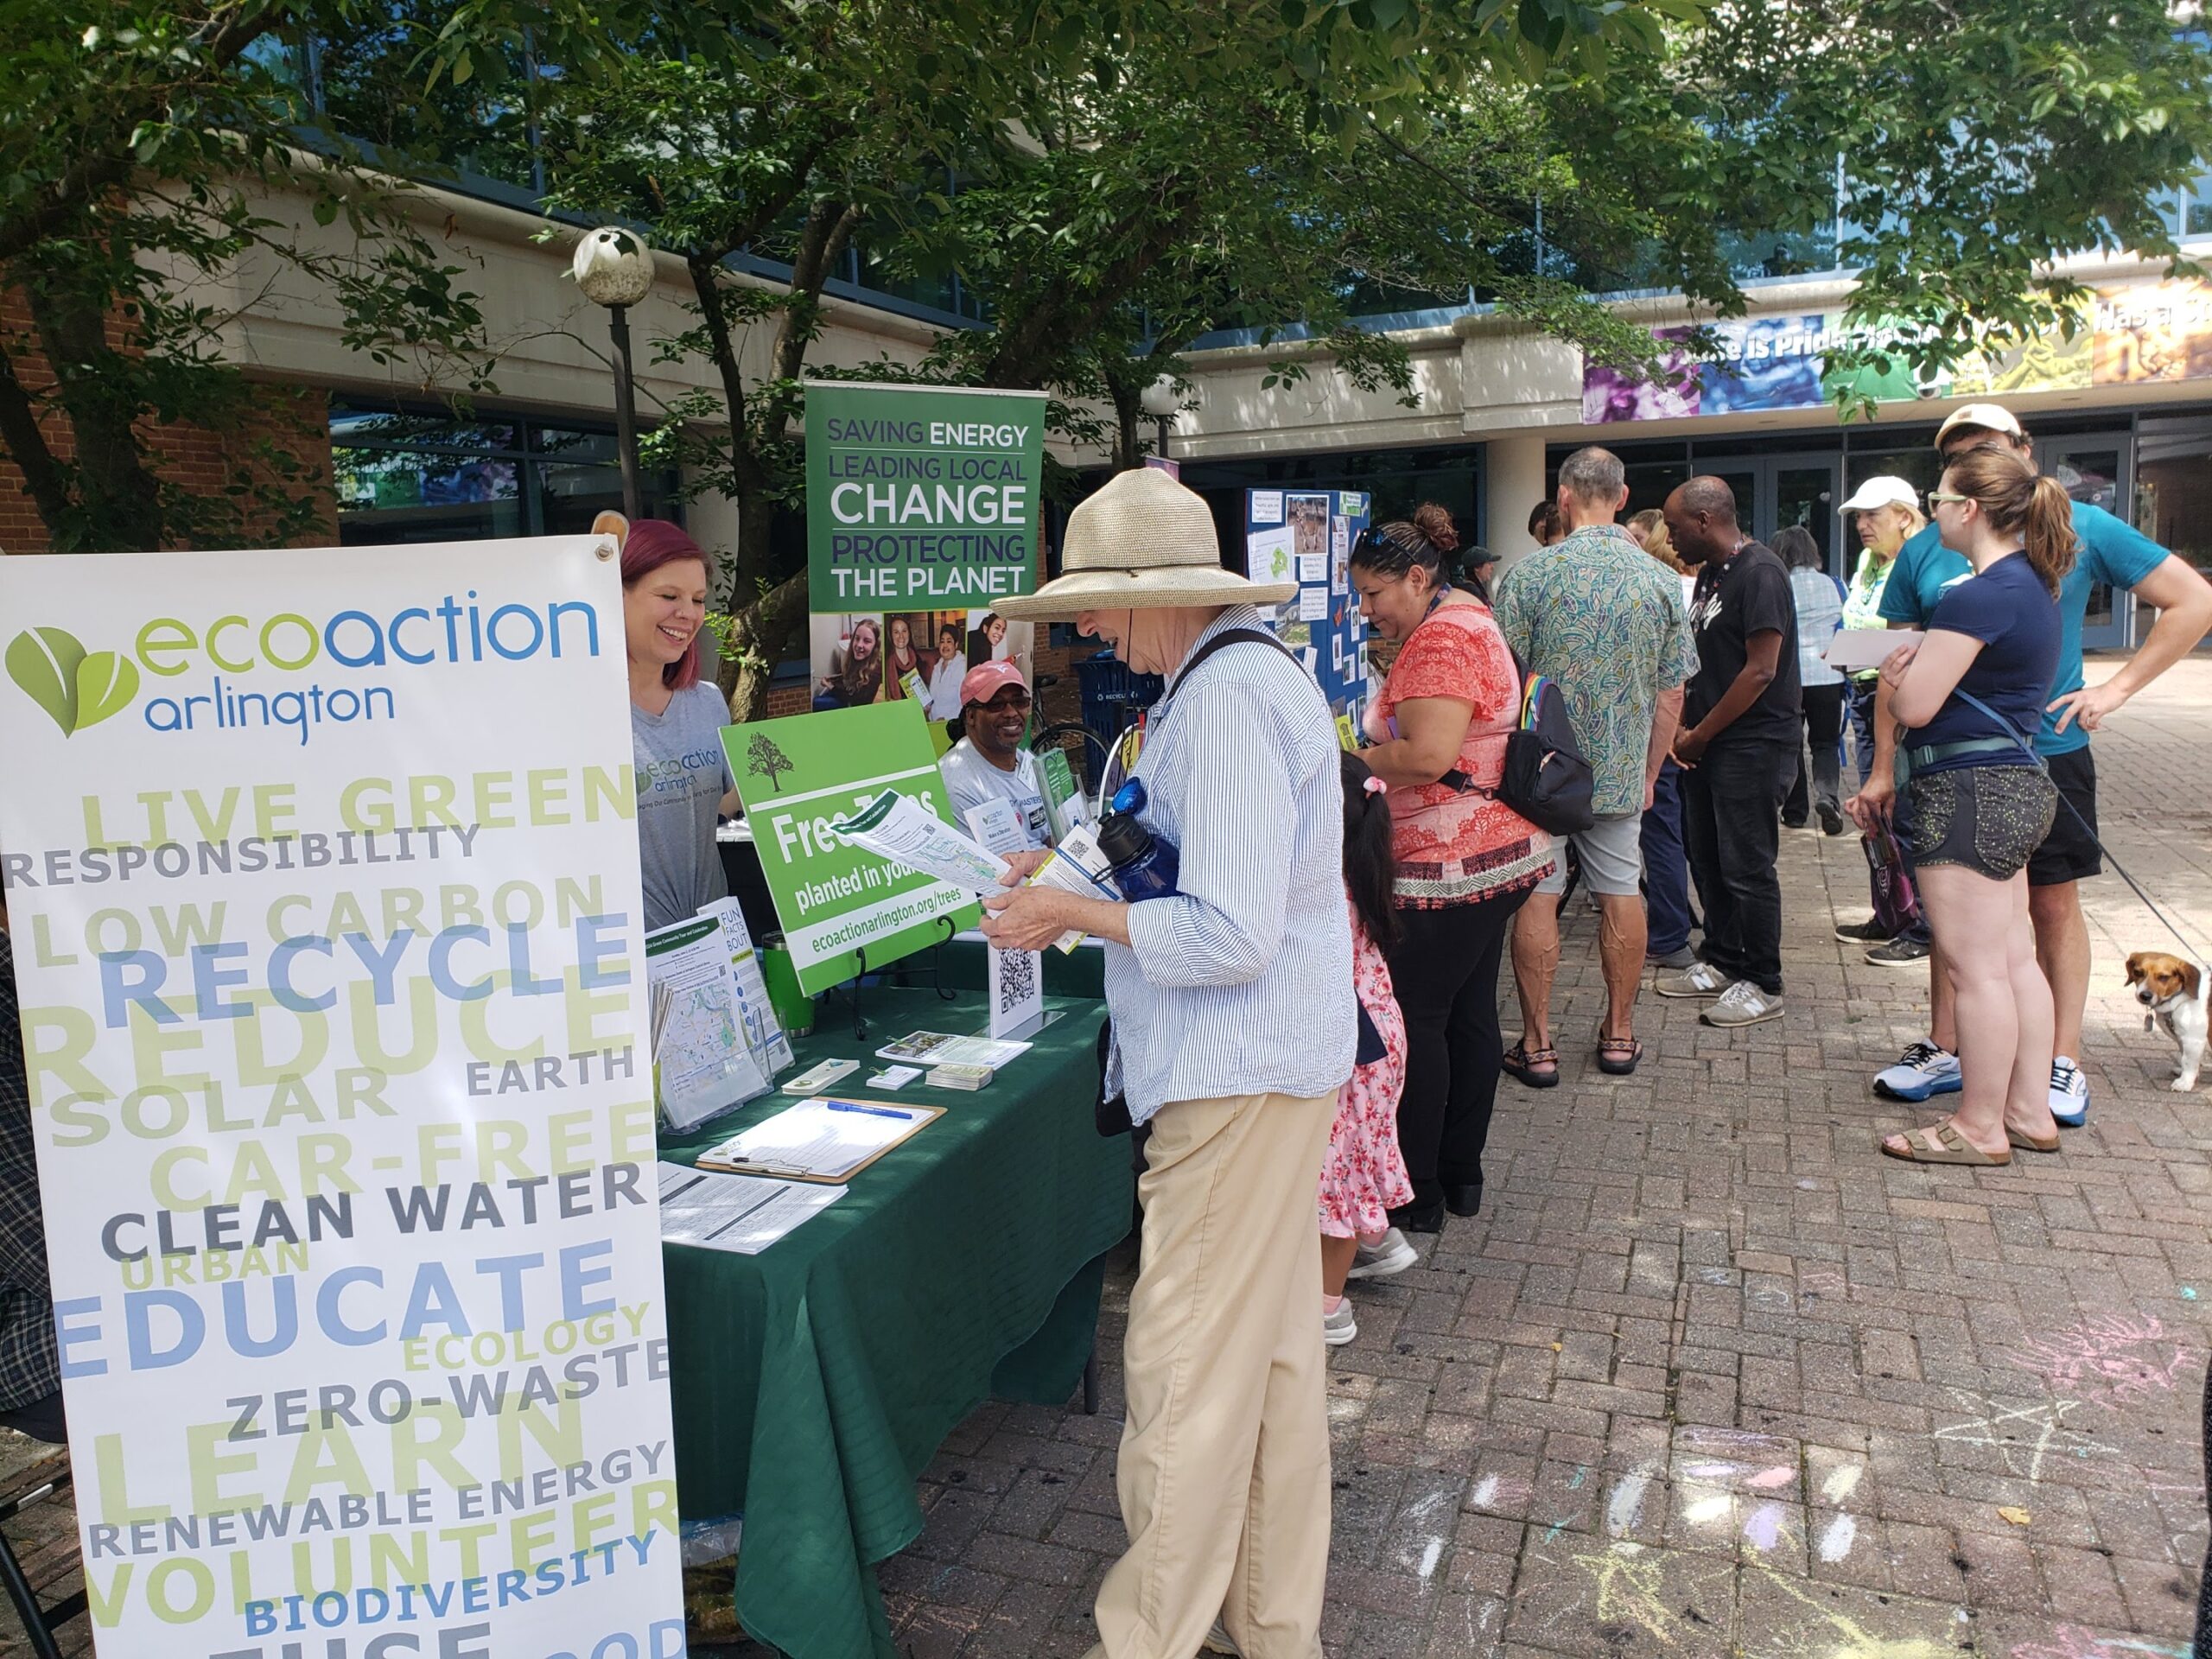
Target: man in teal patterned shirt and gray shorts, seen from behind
{"points": [[1609, 625]]}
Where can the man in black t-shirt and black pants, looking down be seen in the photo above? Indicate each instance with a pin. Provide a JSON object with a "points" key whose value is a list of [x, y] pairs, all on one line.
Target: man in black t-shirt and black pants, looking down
{"points": [[1738, 742]]}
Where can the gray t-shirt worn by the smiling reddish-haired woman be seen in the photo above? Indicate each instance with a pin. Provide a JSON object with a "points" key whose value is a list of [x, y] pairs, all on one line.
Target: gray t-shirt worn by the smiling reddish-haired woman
{"points": [[682, 775]]}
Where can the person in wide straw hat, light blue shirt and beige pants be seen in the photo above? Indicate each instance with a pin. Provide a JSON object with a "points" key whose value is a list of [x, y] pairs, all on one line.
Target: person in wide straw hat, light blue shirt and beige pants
{"points": [[1233, 1023]]}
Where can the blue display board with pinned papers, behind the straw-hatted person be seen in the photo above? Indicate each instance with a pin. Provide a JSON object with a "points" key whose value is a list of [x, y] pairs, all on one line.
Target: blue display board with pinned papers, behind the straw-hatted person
{"points": [[1306, 536]]}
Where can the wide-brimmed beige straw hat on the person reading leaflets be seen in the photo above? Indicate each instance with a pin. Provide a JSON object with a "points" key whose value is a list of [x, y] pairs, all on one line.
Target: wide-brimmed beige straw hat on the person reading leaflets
{"points": [[1142, 543]]}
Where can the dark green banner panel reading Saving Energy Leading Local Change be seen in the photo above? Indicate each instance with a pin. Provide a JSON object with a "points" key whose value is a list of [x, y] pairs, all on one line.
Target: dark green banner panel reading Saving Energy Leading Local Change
{"points": [[921, 499]]}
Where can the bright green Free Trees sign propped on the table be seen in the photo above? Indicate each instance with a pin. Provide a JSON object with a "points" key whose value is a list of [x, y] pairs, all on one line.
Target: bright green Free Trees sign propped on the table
{"points": [[802, 775]]}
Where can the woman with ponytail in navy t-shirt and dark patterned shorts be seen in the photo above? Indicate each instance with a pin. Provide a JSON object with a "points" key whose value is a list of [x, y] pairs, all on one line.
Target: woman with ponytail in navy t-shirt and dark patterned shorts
{"points": [[1970, 700]]}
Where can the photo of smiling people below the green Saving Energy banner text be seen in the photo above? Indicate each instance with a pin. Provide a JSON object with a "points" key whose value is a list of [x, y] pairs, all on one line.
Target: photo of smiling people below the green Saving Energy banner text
{"points": [[881, 658]]}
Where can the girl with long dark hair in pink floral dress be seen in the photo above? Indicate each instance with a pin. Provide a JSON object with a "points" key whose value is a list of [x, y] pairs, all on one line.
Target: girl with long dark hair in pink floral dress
{"points": [[1364, 1173]]}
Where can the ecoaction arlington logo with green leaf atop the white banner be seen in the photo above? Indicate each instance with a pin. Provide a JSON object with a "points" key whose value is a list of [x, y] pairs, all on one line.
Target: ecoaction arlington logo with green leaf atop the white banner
{"points": [[247, 674]]}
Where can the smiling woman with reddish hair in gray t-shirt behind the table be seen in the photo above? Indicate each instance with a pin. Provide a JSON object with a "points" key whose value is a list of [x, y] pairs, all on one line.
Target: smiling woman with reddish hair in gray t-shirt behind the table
{"points": [[676, 724]]}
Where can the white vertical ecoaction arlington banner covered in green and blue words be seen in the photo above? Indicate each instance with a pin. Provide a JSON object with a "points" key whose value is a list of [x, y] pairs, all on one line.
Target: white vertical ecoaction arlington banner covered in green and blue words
{"points": [[322, 875]]}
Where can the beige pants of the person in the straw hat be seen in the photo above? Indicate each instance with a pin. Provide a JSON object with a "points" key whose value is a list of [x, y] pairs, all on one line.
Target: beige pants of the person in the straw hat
{"points": [[1224, 1463]]}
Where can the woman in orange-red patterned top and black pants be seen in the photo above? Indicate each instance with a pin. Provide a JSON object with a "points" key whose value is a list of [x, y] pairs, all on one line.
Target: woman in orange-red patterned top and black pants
{"points": [[1465, 862]]}
